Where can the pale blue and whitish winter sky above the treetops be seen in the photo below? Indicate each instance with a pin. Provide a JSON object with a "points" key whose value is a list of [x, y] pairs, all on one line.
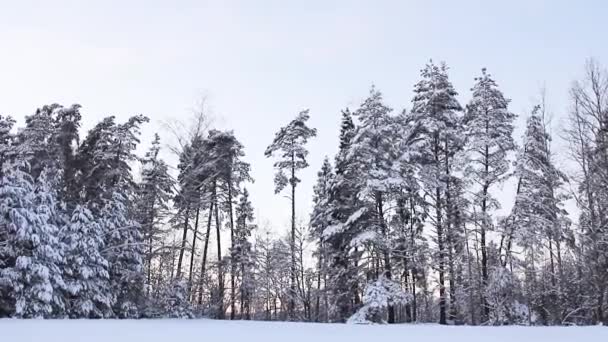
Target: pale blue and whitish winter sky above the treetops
{"points": [[258, 63]]}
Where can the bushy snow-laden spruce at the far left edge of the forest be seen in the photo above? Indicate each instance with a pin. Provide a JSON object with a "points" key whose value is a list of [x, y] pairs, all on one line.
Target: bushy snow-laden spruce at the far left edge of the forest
{"points": [[33, 254]]}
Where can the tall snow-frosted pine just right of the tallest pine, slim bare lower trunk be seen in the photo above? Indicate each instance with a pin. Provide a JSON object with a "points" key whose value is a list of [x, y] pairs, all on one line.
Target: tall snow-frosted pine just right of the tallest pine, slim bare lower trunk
{"points": [[489, 131]]}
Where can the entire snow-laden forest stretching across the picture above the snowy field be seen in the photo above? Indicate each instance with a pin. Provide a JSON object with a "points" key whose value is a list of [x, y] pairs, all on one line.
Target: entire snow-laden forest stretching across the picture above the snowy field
{"points": [[404, 226]]}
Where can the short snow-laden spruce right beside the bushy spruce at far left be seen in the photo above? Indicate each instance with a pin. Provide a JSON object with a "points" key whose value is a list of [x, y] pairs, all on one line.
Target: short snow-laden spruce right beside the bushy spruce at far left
{"points": [[86, 269]]}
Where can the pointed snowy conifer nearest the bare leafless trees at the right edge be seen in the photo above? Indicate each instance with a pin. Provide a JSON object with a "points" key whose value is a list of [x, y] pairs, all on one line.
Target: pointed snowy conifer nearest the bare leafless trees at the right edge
{"points": [[537, 216]]}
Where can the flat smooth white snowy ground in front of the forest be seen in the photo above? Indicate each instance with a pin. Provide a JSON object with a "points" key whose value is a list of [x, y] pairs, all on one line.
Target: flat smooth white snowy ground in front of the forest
{"points": [[226, 331]]}
